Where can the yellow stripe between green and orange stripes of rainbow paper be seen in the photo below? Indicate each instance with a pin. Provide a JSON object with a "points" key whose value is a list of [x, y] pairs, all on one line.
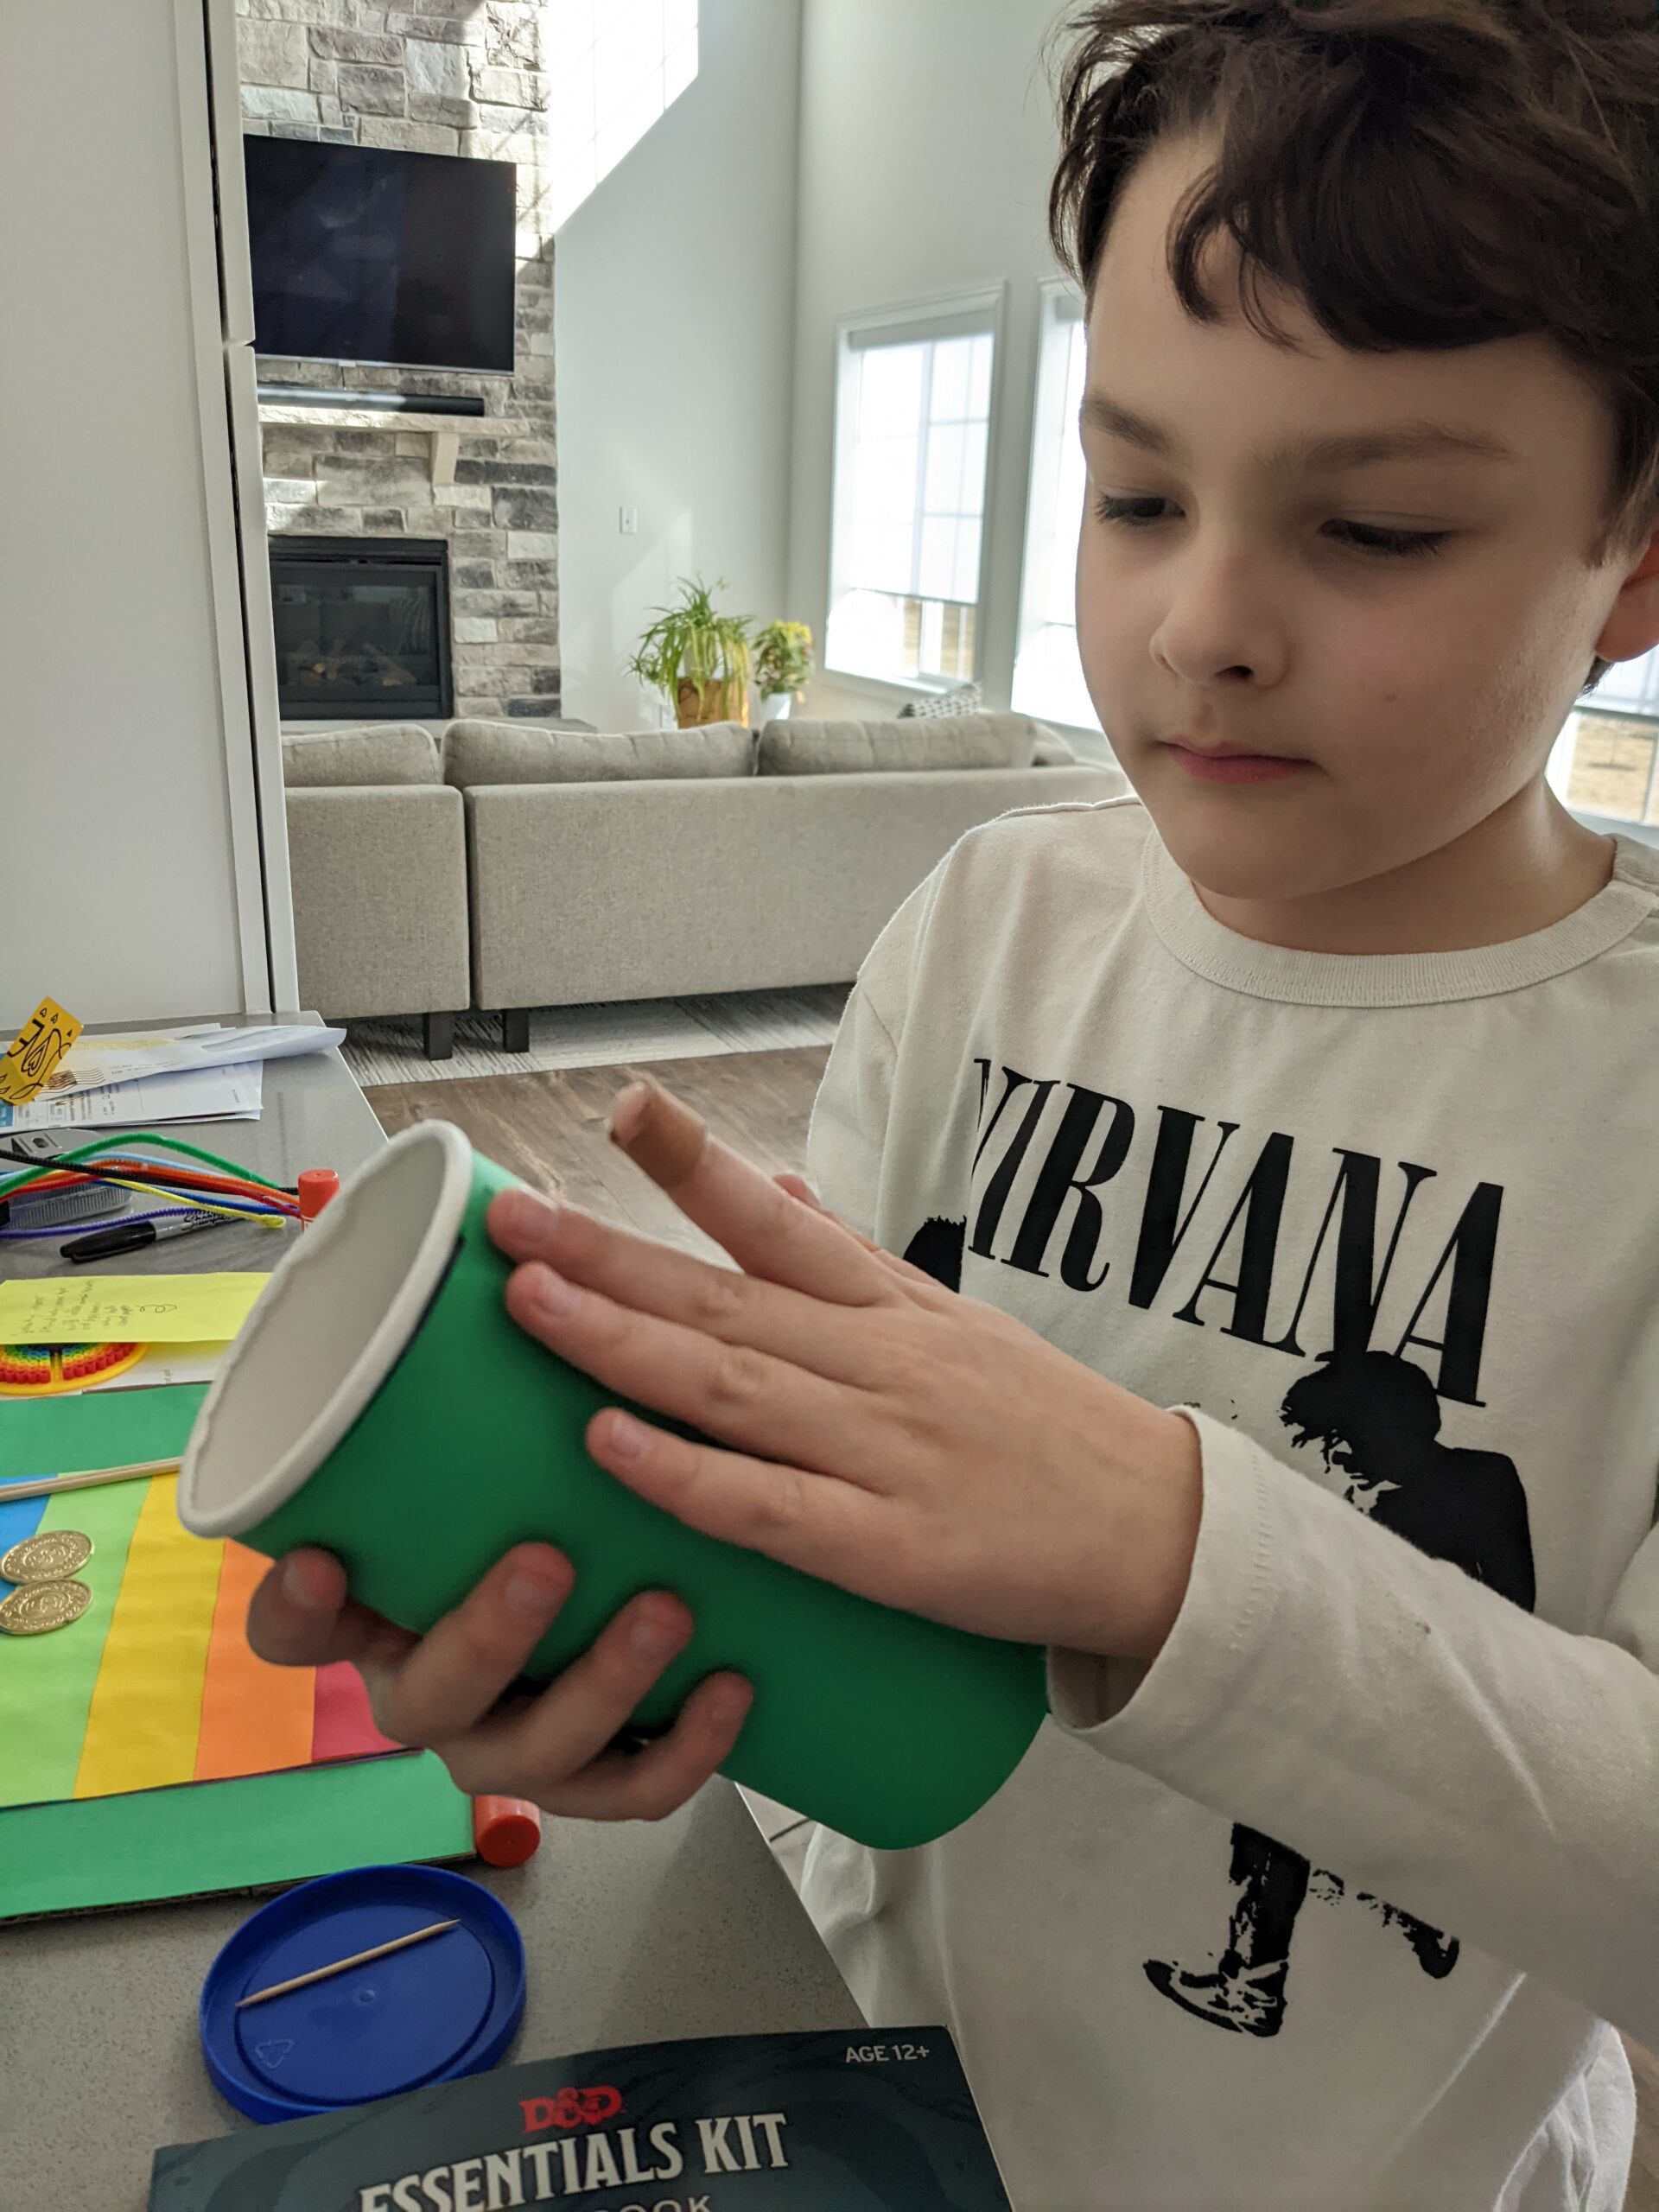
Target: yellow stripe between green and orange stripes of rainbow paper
{"points": [[147, 1704]]}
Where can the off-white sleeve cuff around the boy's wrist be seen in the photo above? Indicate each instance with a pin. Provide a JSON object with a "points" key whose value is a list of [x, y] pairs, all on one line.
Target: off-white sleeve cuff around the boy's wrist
{"points": [[1129, 1707]]}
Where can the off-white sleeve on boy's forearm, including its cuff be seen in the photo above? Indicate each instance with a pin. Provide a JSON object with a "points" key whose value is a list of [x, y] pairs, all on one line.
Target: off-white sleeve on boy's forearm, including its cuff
{"points": [[1377, 1711]]}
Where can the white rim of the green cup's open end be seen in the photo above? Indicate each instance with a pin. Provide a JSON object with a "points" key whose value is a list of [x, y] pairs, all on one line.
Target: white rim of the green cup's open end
{"points": [[216, 1510]]}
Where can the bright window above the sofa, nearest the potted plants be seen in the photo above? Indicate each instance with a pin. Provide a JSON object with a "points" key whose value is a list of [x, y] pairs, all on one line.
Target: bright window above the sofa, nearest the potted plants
{"points": [[908, 541]]}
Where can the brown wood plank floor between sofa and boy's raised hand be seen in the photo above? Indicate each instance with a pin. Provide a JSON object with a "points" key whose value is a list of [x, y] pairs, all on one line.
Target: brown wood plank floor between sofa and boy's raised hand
{"points": [[552, 1131]]}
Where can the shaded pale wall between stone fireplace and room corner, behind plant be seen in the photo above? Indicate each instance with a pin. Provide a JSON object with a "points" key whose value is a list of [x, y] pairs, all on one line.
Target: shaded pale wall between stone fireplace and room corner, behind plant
{"points": [[674, 313]]}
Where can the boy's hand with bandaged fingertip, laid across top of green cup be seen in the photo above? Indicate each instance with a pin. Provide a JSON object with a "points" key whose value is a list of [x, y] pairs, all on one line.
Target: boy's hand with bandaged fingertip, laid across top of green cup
{"points": [[881, 1432]]}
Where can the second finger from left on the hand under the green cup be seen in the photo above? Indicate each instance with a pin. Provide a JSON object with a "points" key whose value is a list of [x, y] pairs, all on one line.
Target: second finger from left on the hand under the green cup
{"points": [[446, 1682]]}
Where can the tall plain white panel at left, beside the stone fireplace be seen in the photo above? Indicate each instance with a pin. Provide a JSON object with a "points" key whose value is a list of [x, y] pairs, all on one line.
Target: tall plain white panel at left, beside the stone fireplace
{"points": [[118, 855]]}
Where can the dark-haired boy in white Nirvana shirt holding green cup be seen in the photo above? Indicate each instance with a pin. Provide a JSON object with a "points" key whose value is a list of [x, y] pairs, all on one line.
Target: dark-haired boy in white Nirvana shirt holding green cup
{"points": [[1302, 1100]]}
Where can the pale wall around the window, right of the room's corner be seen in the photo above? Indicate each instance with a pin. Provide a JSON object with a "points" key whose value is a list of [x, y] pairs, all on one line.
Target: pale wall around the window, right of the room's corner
{"points": [[928, 143]]}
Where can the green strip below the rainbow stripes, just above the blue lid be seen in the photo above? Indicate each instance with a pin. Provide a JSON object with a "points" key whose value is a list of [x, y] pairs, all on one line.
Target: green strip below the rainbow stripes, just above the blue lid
{"points": [[247, 1835]]}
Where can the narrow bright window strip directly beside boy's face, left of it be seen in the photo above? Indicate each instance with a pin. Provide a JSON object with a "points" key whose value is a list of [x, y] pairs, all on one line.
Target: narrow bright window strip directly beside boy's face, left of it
{"points": [[1047, 674]]}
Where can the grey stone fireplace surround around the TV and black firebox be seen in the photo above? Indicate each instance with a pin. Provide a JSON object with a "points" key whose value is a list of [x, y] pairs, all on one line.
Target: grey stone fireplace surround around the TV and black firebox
{"points": [[428, 76]]}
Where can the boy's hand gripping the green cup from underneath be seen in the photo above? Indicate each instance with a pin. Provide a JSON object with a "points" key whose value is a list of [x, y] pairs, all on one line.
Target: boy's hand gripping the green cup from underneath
{"points": [[441, 1691]]}
